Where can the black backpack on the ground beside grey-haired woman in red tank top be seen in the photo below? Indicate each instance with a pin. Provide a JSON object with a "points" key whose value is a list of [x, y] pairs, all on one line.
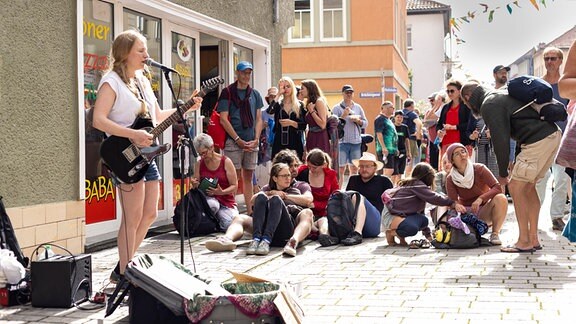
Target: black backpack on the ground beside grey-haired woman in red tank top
{"points": [[200, 218]]}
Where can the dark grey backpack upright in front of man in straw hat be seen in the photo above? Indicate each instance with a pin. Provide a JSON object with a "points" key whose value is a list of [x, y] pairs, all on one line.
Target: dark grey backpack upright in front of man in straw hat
{"points": [[341, 213]]}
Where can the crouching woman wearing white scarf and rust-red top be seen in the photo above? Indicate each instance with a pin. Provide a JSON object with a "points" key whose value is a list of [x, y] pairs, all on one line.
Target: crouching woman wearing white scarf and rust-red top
{"points": [[474, 186]]}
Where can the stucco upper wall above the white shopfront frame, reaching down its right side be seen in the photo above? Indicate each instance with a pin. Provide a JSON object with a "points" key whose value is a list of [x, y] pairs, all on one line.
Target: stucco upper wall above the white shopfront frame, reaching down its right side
{"points": [[246, 14]]}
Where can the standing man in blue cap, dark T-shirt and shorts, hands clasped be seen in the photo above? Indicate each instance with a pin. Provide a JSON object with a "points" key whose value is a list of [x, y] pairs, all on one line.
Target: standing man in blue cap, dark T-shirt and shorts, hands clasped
{"points": [[240, 114]]}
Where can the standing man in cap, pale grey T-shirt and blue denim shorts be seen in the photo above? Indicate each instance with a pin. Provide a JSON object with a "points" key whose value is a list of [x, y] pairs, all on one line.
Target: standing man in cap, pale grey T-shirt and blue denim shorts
{"points": [[350, 144]]}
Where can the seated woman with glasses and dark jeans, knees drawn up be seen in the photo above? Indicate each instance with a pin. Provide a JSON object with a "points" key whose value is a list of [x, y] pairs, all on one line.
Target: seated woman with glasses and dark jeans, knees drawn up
{"points": [[275, 212]]}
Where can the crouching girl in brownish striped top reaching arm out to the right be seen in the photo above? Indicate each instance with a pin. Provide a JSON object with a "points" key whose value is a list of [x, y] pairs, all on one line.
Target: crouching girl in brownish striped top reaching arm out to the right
{"points": [[404, 214]]}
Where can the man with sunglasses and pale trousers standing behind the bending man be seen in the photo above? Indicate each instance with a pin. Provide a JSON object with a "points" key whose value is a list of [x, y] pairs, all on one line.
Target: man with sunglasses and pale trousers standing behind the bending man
{"points": [[553, 57]]}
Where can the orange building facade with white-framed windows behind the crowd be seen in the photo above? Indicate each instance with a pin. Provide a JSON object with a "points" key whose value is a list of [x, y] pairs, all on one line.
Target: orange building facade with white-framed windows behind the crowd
{"points": [[362, 43]]}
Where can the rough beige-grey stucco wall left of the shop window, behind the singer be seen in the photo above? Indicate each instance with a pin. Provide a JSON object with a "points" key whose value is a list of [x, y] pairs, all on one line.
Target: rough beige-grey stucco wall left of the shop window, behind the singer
{"points": [[38, 105]]}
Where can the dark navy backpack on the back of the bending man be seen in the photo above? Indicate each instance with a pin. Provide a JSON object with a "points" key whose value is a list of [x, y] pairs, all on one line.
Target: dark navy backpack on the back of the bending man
{"points": [[536, 93]]}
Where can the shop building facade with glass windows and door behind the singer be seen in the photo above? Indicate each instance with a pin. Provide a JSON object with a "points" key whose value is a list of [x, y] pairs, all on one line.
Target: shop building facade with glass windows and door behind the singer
{"points": [[52, 57]]}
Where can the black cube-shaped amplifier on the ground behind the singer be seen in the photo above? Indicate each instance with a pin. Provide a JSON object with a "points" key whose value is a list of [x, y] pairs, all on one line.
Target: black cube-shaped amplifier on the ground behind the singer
{"points": [[61, 280]]}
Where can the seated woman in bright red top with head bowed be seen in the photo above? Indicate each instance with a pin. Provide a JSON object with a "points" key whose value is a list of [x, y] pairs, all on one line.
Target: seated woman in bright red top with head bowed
{"points": [[323, 182]]}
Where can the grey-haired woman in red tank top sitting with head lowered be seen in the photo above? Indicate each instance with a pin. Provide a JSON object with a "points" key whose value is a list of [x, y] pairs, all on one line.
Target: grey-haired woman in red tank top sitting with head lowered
{"points": [[213, 165]]}
